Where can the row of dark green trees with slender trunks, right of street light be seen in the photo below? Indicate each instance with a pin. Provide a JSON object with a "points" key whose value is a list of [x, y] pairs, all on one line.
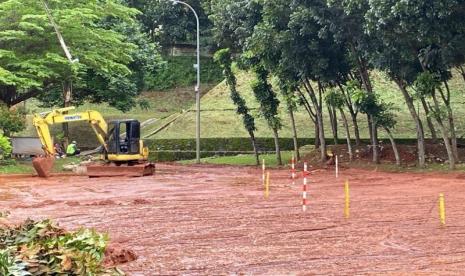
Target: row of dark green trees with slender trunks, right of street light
{"points": [[326, 45]]}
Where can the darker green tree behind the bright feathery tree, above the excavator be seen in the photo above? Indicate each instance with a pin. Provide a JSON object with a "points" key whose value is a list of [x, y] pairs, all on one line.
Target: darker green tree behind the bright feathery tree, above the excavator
{"points": [[118, 90]]}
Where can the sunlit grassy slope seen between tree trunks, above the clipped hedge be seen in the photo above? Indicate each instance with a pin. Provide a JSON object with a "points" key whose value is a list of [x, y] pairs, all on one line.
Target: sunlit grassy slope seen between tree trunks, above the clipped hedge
{"points": [[219, 121]]}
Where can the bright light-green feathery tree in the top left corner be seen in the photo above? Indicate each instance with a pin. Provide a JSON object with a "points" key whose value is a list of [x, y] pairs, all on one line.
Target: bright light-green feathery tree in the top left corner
{"points": [[32, 60]]}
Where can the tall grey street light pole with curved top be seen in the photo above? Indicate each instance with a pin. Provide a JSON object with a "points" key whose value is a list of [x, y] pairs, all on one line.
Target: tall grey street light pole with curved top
{"points": [[197, 87]]}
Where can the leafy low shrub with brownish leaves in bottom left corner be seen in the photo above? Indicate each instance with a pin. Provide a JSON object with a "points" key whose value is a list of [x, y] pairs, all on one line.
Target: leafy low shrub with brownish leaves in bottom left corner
{"points": [[43, 248]]}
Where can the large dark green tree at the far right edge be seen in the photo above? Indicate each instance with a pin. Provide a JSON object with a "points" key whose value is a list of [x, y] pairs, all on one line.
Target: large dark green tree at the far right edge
{"points": [[430, 36]]}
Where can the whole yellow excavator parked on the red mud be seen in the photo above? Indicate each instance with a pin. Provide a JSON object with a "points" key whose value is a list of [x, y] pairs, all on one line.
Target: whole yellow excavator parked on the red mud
{"points": [[123, 152]]}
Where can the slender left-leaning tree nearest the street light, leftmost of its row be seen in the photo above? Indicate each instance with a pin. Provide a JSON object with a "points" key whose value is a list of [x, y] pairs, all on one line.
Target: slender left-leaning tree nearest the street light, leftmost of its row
{"points": [[224, 59]]}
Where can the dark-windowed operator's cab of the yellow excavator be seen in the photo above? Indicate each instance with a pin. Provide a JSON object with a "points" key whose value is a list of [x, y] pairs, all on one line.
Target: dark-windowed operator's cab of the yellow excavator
{"points": [[124, 137]]}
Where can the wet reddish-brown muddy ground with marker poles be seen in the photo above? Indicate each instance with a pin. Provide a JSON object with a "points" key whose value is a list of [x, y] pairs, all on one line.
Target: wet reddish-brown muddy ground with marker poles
{"points": [[214, 220]]}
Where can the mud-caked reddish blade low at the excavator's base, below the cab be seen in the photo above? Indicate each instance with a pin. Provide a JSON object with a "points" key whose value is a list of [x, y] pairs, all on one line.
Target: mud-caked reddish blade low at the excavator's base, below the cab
{"points": [[111, 170]]}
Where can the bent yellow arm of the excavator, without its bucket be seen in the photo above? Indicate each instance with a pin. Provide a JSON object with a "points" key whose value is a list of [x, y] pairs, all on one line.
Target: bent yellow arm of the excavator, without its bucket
{"points": [[43, 121]]}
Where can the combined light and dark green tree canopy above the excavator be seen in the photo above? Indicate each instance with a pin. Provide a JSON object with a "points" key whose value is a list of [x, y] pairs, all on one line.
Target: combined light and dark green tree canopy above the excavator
{"points": [[113, 53]]}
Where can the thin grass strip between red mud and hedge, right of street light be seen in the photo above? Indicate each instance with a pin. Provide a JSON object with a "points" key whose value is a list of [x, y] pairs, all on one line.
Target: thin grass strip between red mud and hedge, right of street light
{"points": [[243, 159]]}
